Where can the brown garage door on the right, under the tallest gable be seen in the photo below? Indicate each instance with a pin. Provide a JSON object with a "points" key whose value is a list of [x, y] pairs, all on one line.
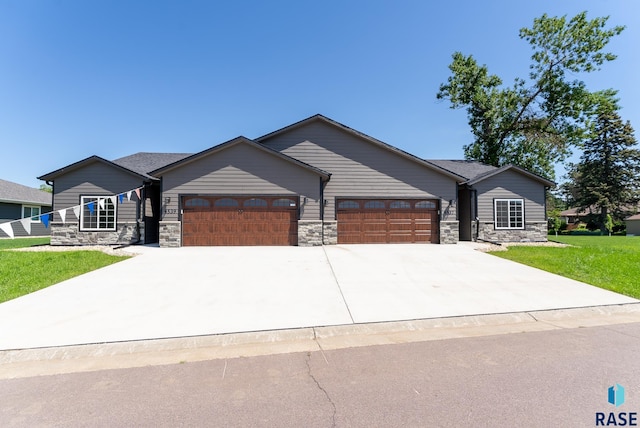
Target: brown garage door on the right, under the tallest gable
{"points": [[372, 221]]}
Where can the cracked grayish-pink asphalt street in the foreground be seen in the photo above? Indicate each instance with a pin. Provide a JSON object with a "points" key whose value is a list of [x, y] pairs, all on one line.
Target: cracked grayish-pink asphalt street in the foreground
{"points": [[532, 379]]}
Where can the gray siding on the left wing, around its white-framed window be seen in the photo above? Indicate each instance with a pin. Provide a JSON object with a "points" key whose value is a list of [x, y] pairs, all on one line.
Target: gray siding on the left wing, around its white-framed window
{"points": [[95, 179]]}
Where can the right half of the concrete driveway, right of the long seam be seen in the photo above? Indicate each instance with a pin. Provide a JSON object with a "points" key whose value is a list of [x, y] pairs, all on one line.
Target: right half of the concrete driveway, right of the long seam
{"points": [[401, 282]]}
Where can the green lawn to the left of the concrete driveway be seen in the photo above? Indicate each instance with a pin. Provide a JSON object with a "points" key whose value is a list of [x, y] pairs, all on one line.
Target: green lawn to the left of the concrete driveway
{"points": [[25, 272]]}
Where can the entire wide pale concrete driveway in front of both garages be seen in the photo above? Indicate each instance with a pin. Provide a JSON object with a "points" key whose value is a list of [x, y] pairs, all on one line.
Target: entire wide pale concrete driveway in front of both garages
{"points": [[165, 293]]}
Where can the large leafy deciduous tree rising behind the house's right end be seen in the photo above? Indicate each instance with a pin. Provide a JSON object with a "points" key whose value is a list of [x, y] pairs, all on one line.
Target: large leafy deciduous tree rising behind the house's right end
{"points": [[535, 122]]}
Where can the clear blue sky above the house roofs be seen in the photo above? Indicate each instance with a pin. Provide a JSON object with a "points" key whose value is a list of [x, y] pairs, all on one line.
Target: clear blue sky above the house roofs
{"points": [[111, 77]]}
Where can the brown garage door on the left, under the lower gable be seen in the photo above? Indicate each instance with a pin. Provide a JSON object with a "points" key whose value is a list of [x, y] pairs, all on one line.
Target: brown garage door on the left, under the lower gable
{"points": [[228, 220]]}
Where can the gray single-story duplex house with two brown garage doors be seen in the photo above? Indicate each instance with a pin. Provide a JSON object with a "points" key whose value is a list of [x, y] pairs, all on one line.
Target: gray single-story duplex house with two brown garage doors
{"points": [[315, 182]]}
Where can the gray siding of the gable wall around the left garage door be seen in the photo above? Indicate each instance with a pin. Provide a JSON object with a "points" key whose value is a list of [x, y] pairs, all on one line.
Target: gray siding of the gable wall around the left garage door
{"points": [[241, 170]]}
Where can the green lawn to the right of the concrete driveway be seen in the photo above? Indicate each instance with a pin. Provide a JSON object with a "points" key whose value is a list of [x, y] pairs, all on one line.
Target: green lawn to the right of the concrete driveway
{"points": [[609, 262]]}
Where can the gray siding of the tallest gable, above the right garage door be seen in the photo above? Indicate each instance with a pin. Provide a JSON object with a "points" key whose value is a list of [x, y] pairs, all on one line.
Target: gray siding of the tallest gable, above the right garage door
{"points": [[360, 168]]}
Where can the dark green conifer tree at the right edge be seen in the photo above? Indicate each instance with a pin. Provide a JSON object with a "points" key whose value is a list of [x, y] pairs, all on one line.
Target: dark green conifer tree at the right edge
{"points": [[608, 174]]}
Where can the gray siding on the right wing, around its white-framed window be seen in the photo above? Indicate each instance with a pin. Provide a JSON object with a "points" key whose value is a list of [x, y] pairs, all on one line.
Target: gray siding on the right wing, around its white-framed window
{"points": [[511, 185]]}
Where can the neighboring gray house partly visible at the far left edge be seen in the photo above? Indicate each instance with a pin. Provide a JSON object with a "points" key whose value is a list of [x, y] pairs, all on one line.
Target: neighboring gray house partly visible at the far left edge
{"points": [[18, 201]]}
